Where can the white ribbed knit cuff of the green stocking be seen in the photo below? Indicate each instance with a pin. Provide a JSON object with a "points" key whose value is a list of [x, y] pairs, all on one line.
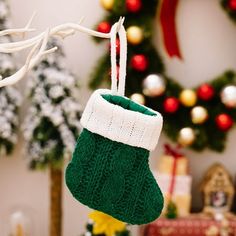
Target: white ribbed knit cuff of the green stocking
{"points": [[119, 124]]}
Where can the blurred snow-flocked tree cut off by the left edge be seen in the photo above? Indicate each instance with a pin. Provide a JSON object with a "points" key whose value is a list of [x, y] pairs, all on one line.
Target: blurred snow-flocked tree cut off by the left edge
{"points": [[9, 96]]}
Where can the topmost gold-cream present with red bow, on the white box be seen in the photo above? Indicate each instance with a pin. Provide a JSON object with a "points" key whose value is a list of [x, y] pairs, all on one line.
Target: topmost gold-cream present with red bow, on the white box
{"points": [[166, 162]]}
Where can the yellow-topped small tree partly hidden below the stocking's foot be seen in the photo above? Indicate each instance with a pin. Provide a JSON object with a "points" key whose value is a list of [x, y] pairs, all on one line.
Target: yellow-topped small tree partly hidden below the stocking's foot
{"points": [[100, 224]]}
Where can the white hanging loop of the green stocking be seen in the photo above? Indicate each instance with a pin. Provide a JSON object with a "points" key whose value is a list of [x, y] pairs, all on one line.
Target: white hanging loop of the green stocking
{"points": [[118, 78]]}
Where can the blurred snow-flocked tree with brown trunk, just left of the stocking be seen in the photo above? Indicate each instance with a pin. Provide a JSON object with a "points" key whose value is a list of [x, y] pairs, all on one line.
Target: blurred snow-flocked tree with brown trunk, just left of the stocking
{"points": [[52, 124]]}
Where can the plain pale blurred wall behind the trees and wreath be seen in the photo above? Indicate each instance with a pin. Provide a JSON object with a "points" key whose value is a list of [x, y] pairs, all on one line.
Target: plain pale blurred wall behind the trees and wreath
{"points": [[207, 40]]}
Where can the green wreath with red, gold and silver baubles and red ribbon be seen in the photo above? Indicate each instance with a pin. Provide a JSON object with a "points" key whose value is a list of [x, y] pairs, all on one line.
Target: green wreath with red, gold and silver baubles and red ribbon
{"points": [[198, 118]]}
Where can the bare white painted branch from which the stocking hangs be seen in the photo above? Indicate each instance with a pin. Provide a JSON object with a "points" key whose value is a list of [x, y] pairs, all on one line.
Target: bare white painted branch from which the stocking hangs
{"points": [[34, 57]]}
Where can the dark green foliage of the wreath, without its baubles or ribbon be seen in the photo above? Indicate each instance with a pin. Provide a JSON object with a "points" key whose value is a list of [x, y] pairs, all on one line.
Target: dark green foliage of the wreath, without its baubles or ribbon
{"points": [[207, 134]]}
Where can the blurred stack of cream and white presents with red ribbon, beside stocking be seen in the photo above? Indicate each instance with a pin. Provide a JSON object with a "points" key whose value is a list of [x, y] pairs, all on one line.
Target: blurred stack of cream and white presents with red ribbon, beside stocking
{"points": [[175, 183]]}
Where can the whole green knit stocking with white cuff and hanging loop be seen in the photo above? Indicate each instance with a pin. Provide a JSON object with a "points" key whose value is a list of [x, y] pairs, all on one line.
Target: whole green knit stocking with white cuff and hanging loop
{"points": [[109, 170]]}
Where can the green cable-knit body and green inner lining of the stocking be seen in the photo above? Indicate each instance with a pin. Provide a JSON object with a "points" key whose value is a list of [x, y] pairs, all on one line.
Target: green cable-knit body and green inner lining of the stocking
{"points": [[114, 177]]}
